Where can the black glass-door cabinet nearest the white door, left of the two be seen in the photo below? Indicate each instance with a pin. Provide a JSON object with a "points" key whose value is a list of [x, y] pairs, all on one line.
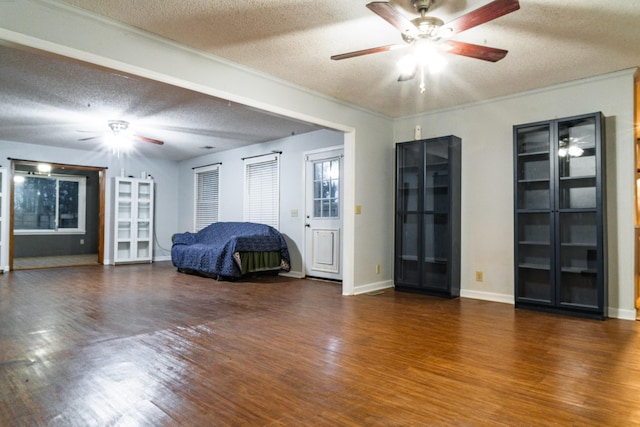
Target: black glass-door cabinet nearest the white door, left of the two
{"points": [[427, 216]]}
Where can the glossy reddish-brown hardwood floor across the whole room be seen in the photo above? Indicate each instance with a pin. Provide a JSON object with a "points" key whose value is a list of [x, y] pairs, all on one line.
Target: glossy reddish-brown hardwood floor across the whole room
{"points": [[146, 345]]}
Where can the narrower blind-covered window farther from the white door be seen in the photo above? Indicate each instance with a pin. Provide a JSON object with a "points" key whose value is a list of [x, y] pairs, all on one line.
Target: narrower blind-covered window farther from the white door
{"points": [[206, 197]]}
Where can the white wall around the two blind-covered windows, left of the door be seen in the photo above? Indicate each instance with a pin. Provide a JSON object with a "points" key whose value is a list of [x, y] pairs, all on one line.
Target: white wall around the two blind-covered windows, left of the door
{"points": [[232, 184]]}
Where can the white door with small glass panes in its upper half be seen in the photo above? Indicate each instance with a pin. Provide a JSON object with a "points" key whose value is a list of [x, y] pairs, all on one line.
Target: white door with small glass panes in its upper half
{"points": [[323, 214]]}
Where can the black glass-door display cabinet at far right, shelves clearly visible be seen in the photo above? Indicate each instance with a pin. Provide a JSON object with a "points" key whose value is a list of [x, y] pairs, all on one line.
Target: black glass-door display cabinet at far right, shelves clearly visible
{"points": [[560, 223]]}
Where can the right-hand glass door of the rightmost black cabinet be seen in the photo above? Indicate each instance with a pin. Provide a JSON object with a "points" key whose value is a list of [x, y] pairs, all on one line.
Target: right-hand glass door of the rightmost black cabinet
{"points": [[577, 203]]}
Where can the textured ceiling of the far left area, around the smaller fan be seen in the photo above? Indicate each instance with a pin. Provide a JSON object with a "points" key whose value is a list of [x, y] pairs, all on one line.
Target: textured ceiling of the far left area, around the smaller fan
{"points": [[55, 101]]}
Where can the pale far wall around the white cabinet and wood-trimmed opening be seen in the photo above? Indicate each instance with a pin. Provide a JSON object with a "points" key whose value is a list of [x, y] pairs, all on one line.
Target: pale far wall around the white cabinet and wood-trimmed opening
{"points": [[165, 174]]}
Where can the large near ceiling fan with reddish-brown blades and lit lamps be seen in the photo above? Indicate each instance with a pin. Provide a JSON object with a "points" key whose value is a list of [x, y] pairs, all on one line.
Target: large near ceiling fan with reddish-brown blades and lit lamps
{"points": [[431, 30]]}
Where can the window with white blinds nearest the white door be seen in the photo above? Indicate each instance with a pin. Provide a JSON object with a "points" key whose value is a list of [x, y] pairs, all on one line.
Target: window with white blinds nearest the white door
{"points": [[262, 190]]}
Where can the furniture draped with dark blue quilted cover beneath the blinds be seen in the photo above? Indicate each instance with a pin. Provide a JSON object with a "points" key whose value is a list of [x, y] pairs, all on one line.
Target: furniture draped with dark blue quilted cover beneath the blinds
{"points": [[228, 250]]}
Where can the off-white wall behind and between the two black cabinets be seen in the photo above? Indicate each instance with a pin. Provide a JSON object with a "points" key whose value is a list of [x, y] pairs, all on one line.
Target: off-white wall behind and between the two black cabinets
{"points": [[487, 178]]}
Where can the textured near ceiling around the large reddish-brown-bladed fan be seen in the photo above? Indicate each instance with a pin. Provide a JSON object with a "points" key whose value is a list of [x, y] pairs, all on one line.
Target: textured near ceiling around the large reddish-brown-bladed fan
{"points": [[549, 42]]}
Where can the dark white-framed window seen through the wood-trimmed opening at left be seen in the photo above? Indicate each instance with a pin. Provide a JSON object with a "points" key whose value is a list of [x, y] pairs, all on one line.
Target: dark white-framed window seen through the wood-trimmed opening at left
{"points": [[49, 204]]}
